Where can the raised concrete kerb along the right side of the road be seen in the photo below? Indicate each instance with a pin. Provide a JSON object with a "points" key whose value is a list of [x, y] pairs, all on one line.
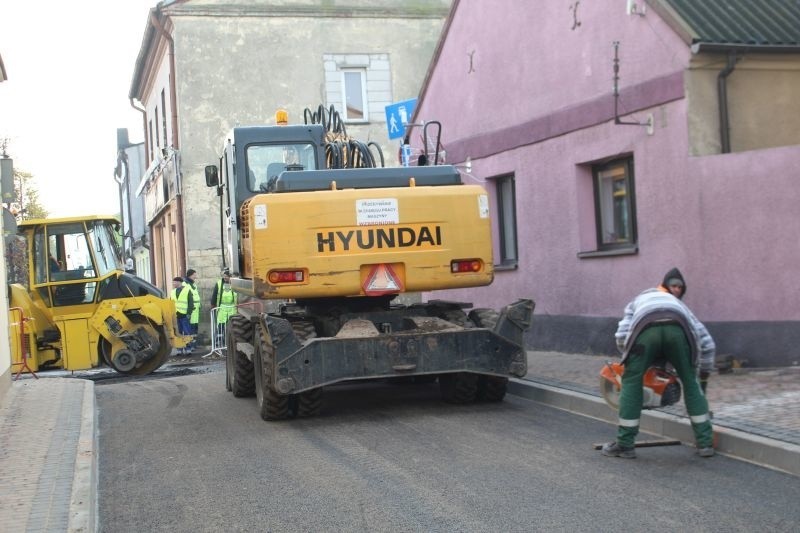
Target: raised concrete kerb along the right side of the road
{"points": [[781, 456]]}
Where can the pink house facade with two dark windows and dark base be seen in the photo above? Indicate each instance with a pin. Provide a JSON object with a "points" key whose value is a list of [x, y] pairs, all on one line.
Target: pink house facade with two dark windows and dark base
{"points": [[589, 212]]}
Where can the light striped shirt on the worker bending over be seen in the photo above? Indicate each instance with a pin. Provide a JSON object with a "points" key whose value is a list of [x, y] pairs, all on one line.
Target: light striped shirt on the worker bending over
{"points": [[656, 301]]}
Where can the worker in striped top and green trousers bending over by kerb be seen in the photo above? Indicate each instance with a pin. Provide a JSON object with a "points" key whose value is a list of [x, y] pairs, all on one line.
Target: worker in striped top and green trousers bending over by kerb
{"points": [[657, 324]]}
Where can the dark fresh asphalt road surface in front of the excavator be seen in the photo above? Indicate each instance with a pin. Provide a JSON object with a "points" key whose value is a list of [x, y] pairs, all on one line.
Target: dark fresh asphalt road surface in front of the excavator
{"points": [[182, 454]]}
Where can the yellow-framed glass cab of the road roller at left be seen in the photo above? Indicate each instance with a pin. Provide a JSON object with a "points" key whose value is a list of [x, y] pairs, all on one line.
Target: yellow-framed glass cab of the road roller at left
{"points": [[70, 258]]}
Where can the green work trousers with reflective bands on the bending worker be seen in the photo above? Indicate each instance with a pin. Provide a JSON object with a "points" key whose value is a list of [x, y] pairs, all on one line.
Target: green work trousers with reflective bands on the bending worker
{"points": [[667, 341]]}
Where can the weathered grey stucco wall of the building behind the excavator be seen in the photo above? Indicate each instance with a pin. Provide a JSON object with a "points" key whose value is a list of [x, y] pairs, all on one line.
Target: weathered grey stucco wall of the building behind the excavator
{"points": [[233, 71]]}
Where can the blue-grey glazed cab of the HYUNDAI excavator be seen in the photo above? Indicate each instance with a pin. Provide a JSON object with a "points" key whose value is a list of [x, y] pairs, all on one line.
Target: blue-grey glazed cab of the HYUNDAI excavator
{"points": [[251, 159]]}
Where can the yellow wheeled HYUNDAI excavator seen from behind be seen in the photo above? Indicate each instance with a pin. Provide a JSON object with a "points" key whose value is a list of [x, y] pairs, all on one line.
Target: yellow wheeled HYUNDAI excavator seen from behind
{"points": [[309, 222]]}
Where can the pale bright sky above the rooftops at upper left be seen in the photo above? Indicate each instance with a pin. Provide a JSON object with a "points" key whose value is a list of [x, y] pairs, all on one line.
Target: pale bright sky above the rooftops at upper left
{"points": [[69, 67]]}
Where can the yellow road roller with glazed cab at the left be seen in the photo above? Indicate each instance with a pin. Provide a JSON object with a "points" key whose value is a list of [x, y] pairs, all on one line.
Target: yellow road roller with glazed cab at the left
{"points": [[73, 307]]}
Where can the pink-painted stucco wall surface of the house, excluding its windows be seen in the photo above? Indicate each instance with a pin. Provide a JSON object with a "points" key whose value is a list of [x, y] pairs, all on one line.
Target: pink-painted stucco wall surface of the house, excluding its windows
{"points": [[728, 221]]}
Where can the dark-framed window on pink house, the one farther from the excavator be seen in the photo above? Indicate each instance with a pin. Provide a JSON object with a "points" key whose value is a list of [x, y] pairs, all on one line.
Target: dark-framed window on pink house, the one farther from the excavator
{"points": [[615, 211]]}
